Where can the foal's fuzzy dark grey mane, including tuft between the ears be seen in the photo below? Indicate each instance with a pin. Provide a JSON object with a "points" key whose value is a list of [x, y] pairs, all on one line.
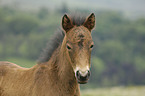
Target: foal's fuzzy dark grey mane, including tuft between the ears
{"points": [[57, 39]]}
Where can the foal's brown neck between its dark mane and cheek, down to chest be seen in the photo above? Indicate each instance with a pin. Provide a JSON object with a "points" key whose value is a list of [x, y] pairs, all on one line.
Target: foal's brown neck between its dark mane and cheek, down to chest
{"points": [[61, 64]]}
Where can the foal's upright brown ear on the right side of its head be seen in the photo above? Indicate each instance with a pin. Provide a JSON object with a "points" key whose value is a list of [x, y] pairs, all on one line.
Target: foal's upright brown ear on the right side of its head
{"points": [[90, 22]]}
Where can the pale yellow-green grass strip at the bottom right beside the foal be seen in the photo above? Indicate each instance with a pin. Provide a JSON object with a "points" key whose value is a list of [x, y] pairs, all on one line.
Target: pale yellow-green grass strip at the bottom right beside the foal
{"points": [[115, 91]]}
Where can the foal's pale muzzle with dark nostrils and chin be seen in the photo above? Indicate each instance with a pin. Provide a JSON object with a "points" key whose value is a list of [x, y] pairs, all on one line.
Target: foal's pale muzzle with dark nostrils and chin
{"points": [[82, 74]]}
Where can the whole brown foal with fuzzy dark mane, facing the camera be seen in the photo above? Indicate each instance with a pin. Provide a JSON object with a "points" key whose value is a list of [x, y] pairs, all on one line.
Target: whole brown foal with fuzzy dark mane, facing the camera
{"points": [[64, 64]]}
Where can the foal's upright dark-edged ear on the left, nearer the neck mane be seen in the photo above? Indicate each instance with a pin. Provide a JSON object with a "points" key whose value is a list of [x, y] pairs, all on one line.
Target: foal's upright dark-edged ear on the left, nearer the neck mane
{"points": [[66, 23]]}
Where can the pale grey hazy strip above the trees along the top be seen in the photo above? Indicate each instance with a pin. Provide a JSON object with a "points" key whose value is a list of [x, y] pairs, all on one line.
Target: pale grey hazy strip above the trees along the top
{"points": [[129, 7]]}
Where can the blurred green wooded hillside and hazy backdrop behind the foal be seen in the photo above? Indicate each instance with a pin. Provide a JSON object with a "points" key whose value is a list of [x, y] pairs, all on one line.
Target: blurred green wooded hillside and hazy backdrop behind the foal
{"points": [[118, 58]]}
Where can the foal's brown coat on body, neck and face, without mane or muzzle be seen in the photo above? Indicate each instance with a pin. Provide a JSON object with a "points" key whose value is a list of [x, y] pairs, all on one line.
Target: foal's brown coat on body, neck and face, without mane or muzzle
{"points": [[52, 78]]}
